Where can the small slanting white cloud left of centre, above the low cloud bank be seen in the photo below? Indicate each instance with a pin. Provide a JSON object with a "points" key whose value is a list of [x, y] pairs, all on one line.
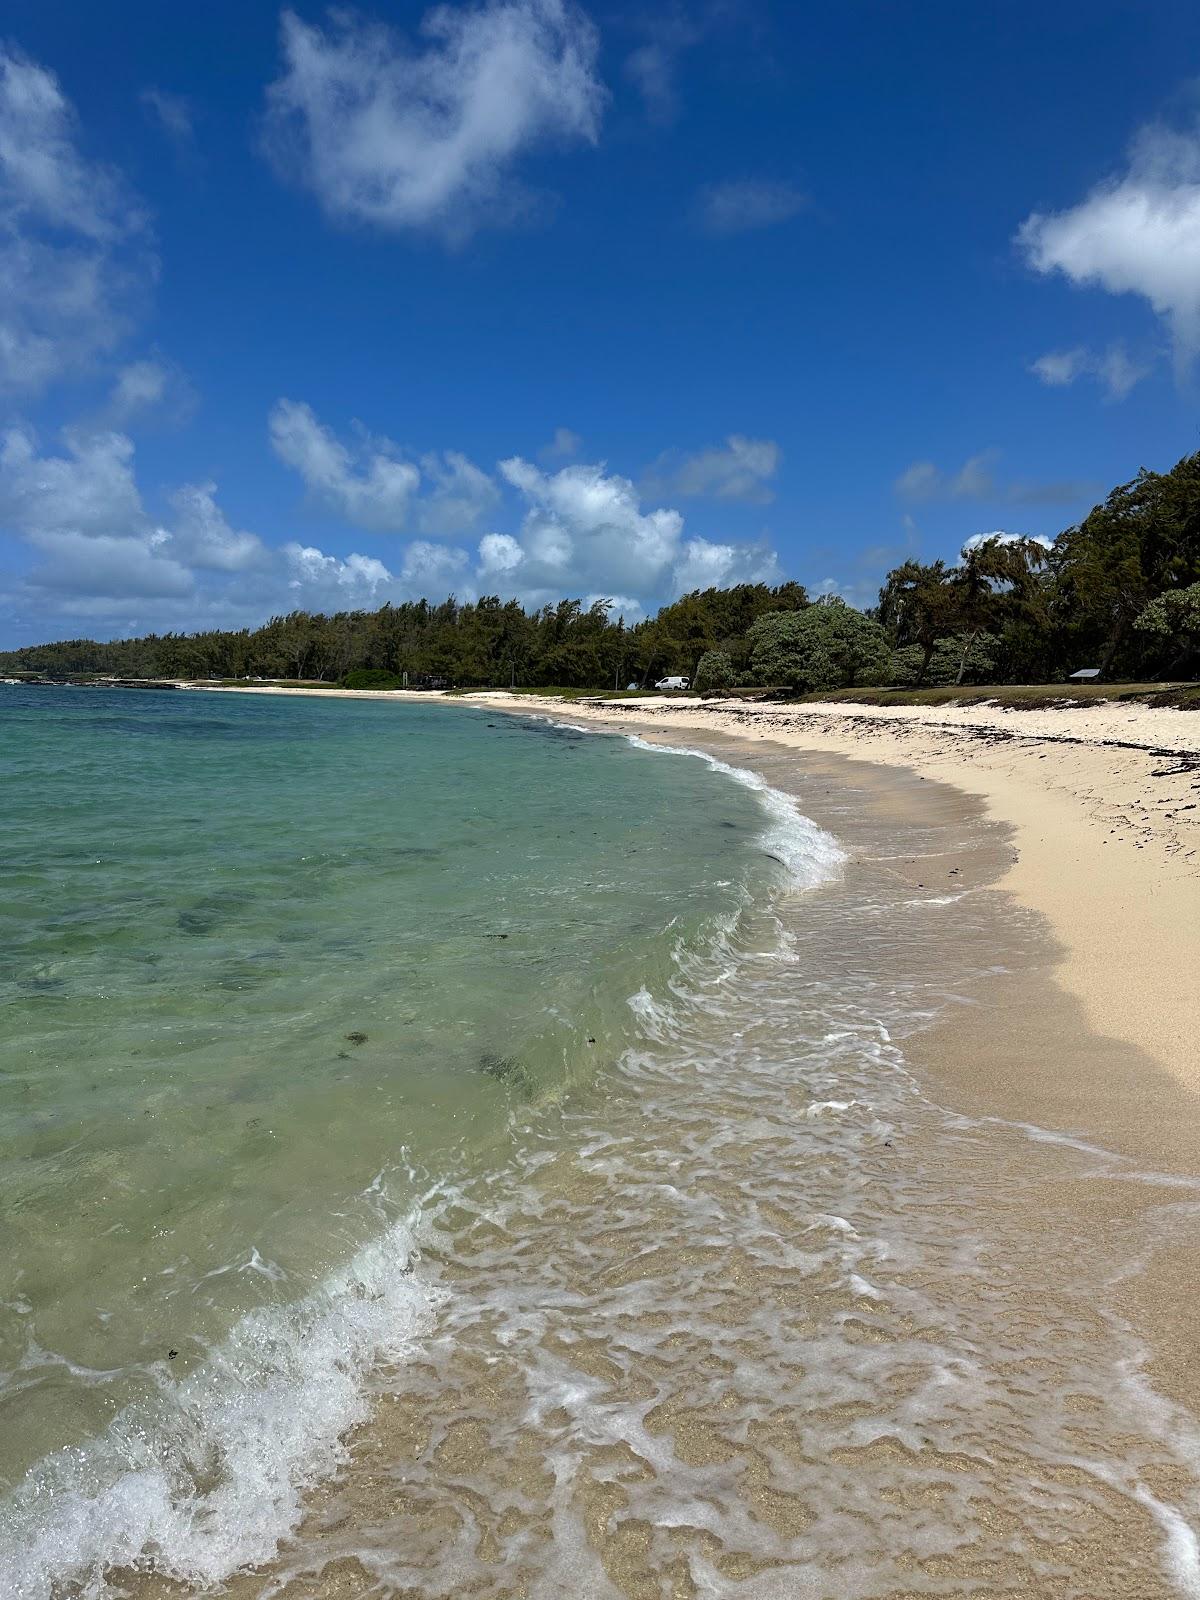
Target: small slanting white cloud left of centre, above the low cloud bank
{"points": [[370, 487]]}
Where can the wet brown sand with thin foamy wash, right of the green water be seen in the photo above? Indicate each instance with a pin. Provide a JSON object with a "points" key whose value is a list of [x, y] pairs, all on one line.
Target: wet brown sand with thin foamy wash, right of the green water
{"points": [[730, 1337]]}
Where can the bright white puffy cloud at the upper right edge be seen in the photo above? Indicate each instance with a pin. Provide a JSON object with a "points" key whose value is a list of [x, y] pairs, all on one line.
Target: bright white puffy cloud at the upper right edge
{"points": [[1138, 233]]}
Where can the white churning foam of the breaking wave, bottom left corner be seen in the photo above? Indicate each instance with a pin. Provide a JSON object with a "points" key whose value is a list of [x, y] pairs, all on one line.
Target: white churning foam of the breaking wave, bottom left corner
{"points": [[210, 1476]]}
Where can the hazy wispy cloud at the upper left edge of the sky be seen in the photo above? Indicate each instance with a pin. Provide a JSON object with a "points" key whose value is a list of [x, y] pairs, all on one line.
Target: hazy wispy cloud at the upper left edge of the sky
{"points": [[74, 252]]}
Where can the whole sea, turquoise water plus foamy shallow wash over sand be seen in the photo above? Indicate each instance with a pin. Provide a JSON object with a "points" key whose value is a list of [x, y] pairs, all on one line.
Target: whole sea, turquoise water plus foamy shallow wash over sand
{"points": [[449, 1153]]}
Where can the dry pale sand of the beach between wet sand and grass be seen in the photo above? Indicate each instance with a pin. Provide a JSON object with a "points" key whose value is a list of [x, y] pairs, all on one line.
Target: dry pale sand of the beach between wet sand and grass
{"points": [[1105, 804]]}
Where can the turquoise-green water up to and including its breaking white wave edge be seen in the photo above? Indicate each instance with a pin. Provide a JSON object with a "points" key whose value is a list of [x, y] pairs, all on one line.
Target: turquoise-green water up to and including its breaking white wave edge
{"points": [[274, 970]]}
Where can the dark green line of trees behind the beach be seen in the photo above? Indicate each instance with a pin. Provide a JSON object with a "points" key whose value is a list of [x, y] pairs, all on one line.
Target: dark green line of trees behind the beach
{"points": [[1119, 591]]}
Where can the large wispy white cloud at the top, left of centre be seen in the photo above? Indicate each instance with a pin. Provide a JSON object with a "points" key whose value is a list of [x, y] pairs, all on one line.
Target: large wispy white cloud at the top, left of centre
{"points": [[426, 138]]}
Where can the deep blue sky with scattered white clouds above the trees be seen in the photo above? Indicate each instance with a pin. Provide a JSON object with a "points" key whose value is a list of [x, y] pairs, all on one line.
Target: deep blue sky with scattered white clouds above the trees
{"points": [[326, 308]]}
